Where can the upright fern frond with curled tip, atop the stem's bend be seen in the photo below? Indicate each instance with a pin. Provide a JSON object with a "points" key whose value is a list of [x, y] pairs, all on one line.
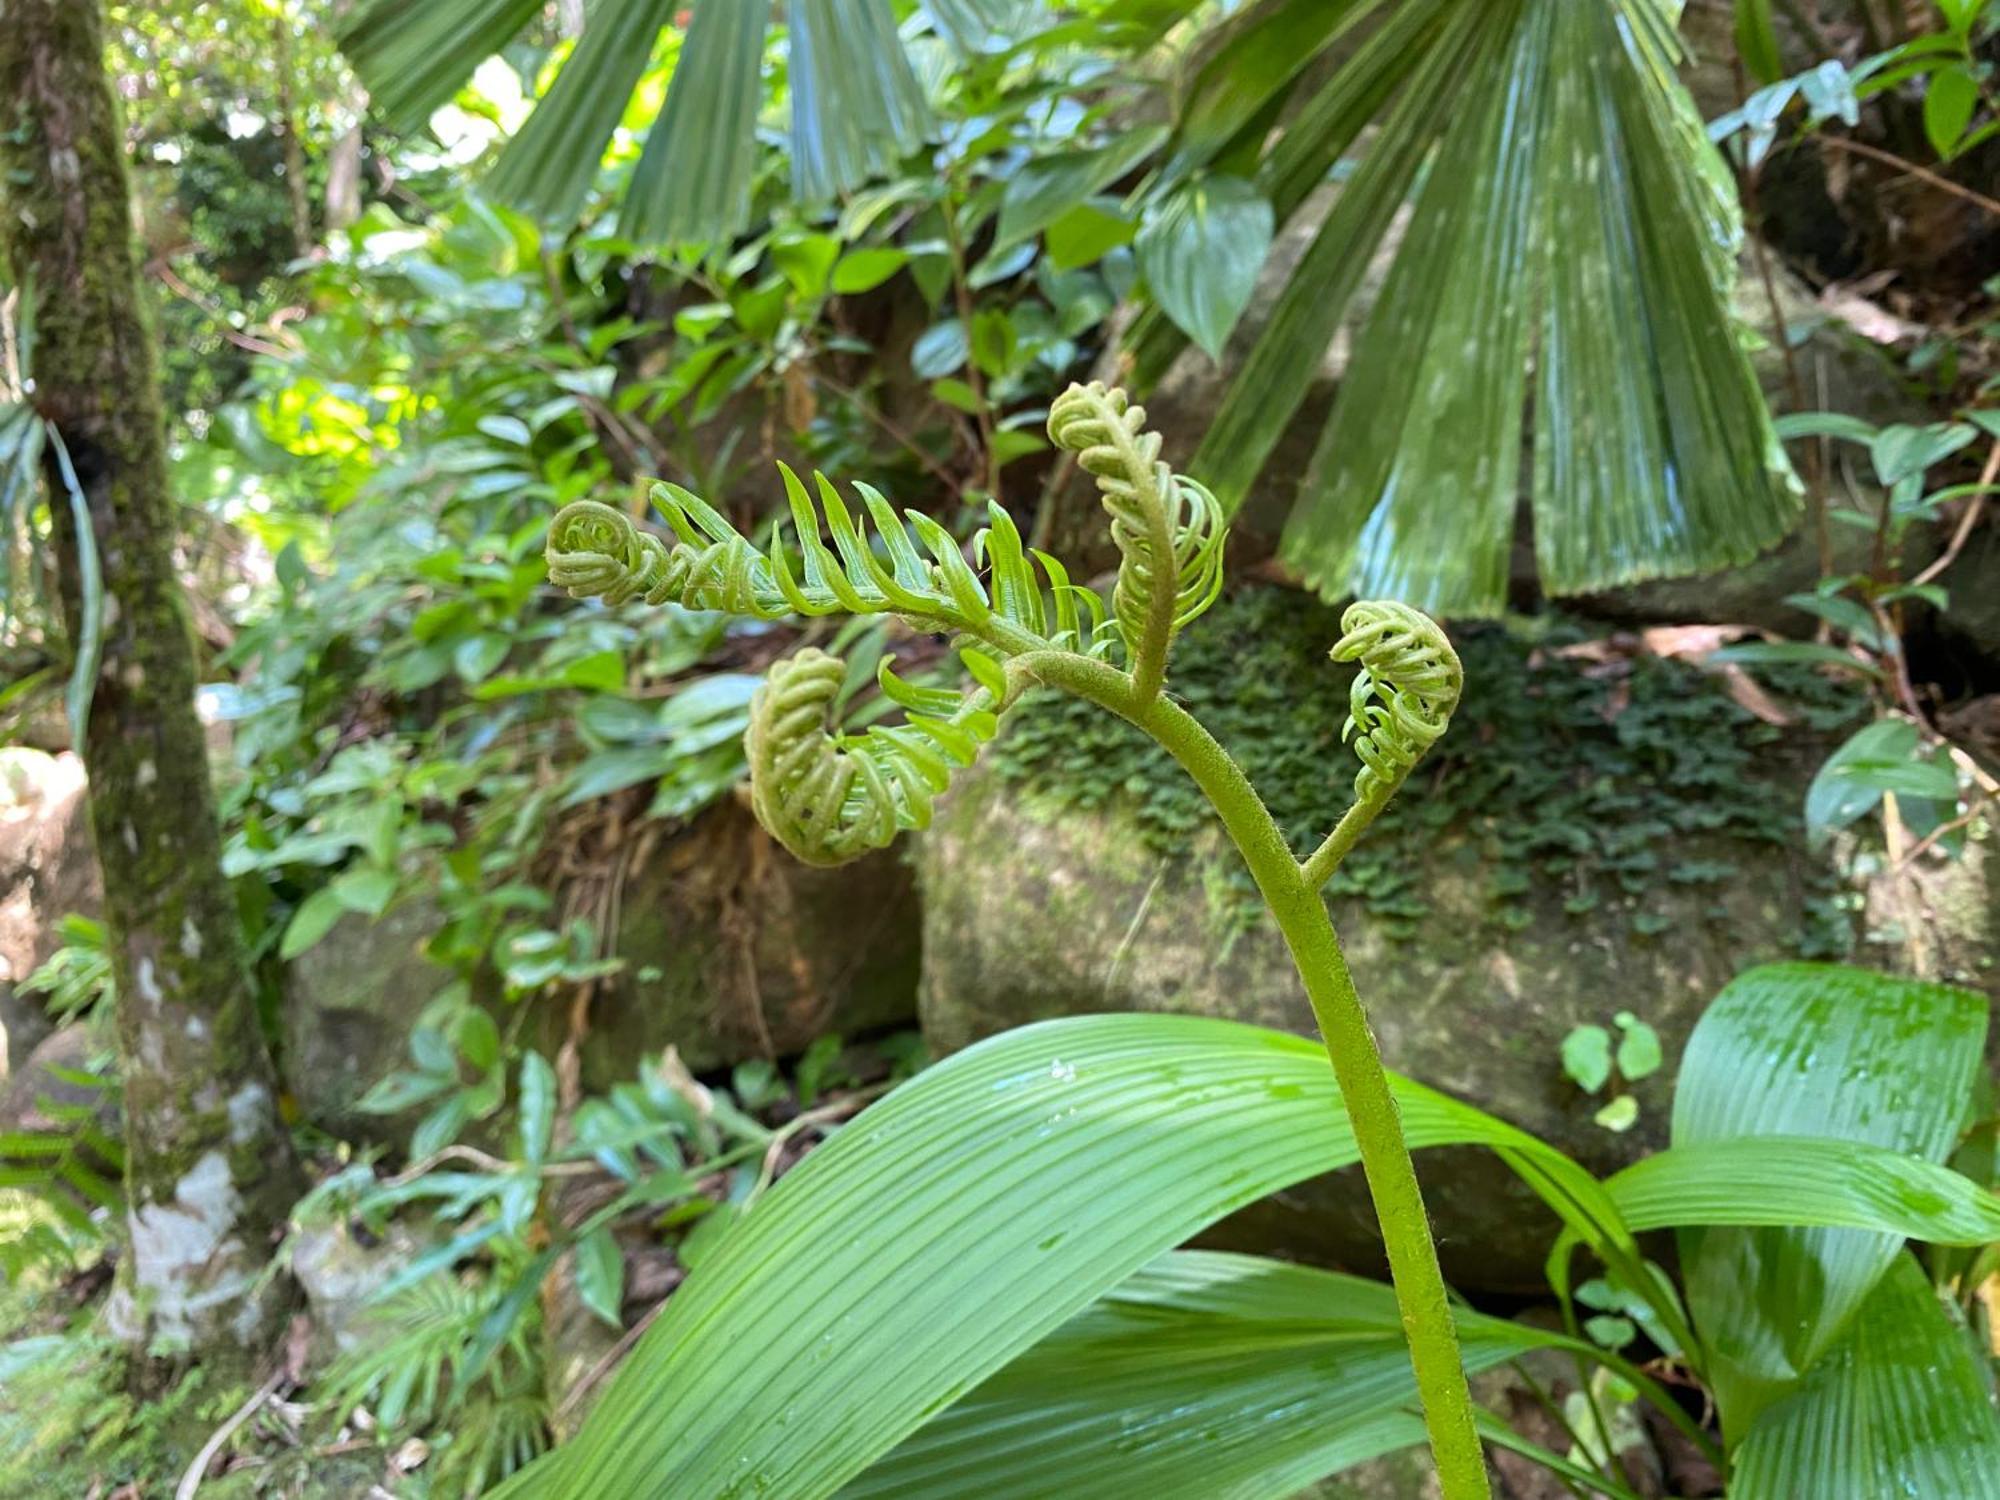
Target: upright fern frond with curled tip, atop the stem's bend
{"points": [[1169, 529]]}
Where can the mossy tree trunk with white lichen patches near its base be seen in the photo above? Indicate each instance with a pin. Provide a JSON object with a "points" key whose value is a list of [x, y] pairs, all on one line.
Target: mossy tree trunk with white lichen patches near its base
{"points": [[211, 1171]]}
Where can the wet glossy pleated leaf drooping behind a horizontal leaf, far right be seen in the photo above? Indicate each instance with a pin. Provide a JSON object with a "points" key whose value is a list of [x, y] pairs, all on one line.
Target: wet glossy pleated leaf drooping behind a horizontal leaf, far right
{"points": [[1813, 1049]]}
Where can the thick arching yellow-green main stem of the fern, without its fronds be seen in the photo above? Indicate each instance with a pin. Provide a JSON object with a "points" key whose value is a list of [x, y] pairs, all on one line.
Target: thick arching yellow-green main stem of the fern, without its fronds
{"points": [[1351, 1047]]}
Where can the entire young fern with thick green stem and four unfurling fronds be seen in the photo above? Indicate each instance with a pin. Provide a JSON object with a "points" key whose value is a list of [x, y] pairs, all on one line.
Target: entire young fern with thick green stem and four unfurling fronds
{"points": [[1017, 621]]}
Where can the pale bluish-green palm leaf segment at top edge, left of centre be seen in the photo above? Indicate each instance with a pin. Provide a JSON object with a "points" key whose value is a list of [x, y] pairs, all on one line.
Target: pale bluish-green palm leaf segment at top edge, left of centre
{"points": [[857, 105]]}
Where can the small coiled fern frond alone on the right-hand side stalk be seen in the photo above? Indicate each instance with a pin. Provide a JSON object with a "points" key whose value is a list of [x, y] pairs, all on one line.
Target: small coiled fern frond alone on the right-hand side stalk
{"points": [[1405, 693]]}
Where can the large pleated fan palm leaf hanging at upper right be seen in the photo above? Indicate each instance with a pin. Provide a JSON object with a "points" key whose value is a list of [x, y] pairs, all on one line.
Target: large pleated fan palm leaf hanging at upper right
{"points": [[1575, 219]]}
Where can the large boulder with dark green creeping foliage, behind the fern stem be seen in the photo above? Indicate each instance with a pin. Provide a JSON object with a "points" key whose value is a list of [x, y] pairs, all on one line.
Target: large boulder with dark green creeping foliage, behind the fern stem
{"points": [[1601, 833]]}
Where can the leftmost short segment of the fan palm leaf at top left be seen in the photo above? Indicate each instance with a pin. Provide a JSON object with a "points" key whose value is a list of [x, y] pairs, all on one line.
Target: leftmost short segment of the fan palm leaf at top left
{"points": [[413, 59]]}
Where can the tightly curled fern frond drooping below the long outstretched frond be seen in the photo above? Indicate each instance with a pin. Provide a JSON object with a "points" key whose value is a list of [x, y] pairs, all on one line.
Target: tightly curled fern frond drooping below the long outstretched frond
{"points": [[829, 797]]}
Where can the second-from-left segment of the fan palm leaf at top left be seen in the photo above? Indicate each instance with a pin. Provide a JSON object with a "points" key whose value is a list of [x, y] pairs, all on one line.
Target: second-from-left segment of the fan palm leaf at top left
{"points": [[549, 167]]}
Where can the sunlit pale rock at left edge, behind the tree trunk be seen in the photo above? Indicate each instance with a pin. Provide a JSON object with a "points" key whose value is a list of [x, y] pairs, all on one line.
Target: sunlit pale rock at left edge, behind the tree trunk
{"points": [[47, 871]]}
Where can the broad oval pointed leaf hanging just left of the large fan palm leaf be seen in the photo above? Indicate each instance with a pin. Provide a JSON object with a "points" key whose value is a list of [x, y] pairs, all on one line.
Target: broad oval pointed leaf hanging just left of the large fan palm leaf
{"points": [[1201, 253]]}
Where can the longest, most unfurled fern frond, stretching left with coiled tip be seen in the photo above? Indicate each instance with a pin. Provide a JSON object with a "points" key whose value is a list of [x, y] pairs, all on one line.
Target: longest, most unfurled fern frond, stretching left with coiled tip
{"points": [[1027, 603]]}
